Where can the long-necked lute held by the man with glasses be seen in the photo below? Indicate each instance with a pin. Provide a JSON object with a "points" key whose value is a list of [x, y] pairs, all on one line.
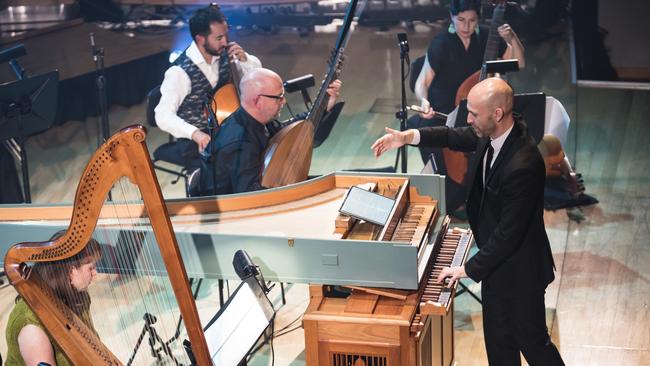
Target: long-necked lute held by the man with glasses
{"points": [[287, 157]]}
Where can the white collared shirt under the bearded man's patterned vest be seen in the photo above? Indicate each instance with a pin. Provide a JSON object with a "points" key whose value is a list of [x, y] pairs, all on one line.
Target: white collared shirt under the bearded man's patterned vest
{"points": [[177, 85]]}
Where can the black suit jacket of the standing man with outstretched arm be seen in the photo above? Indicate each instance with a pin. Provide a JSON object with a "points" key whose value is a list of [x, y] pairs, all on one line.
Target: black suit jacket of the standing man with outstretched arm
{"points": [[506, 215]]}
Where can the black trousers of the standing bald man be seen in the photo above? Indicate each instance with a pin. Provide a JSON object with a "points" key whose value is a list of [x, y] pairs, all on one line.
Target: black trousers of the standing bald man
{"points": [[513, 324]]}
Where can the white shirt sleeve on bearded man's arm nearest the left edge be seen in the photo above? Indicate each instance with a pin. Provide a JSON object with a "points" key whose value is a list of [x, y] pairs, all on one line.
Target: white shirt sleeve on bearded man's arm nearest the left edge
{"points": [[175, 87]]}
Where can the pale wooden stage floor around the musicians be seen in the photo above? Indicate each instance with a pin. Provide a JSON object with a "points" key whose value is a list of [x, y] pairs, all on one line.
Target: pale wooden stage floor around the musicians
{"points": [[598, 307]]}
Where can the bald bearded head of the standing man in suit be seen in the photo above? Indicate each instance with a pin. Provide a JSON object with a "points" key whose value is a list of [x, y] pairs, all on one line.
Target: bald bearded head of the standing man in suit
{"points": [[489, 104]]}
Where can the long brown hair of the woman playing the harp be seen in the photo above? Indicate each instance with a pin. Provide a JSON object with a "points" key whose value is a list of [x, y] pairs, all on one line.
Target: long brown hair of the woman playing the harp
{"points": [[57, 274]]}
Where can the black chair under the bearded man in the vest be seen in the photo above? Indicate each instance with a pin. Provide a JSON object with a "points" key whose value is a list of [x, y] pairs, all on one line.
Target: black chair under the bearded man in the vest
{"points": [[166, 152]]}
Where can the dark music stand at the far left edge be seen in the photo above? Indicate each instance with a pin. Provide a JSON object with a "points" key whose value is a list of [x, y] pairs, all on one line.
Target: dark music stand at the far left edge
{"points": [[27, 106]]}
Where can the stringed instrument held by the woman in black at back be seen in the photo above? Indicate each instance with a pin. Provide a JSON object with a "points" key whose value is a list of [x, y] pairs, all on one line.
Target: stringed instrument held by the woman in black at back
{"points": [[457, 162]]}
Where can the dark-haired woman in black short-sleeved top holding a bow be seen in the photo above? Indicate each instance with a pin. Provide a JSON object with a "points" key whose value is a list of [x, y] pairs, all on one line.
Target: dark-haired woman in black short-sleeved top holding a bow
{"points": [[452, 56]]}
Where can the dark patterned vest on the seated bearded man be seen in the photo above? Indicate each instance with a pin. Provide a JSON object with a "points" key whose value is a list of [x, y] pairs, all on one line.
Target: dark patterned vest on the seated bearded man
{"points": [[191, 109]]}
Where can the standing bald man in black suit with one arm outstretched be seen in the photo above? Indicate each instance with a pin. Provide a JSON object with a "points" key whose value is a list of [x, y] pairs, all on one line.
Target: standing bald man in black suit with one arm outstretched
{"points": [[505, 210]]}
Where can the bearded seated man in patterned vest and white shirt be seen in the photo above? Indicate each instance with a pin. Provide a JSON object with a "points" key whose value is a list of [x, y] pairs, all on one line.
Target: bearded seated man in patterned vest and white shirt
{"points": [[194, 77]]}
